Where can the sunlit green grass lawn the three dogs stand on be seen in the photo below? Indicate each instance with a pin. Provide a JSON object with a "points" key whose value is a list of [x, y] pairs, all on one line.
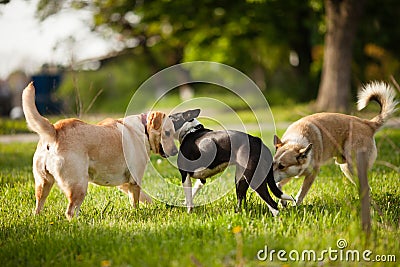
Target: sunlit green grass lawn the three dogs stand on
{"points": [[109, 232]]}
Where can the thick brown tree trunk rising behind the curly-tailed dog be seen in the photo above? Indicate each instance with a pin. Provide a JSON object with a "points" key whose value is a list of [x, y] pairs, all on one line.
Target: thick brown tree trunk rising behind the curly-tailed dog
{"points": [[342, 19]]}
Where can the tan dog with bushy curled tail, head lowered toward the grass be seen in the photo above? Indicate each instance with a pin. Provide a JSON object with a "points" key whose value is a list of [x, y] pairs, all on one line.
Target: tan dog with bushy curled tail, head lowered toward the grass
{"points": [[312, 140]]}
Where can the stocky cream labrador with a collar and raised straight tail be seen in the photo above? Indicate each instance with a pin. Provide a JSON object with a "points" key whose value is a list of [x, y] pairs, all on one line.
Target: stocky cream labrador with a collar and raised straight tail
{"points": [[110, 153]]}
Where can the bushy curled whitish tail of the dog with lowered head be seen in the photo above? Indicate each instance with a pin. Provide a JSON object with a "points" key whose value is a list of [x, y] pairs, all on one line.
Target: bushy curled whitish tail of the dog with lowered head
{"points": [[382, 93]]}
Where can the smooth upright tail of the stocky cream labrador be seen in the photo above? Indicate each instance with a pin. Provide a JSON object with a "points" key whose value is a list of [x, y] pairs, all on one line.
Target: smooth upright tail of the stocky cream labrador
{"points": [[35, 121]]}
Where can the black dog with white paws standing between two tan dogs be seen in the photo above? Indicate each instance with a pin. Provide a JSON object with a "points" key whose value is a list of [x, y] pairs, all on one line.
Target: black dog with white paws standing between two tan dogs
{"points": [[204, 153]]}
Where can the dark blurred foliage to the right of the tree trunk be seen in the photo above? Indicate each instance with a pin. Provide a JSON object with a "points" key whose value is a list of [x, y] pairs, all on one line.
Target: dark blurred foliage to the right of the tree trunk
{"points": [[375, 51]]}
